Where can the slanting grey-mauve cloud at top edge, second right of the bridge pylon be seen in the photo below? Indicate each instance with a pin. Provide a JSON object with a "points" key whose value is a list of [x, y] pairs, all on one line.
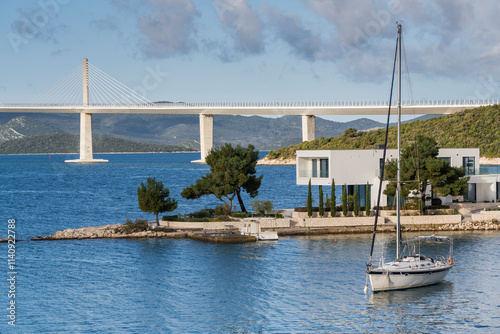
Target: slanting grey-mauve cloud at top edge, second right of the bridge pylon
{"points": [[244, 24]]}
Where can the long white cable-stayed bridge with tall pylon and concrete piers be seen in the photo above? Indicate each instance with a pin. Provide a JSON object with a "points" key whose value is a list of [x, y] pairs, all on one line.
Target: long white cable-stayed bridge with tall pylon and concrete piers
{"points": [[86, 90]]}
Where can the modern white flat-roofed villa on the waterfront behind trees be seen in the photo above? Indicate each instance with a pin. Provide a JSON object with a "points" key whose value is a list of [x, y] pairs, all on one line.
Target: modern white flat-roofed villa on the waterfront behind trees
{"points": [[359, 167]]}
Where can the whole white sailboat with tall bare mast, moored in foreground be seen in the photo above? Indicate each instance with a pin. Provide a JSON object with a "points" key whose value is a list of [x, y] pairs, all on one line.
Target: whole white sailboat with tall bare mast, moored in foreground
{"points": [[411, 268]]}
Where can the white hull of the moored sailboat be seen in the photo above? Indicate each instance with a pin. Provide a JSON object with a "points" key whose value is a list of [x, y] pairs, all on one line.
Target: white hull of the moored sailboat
{"points": [[385, 278]]}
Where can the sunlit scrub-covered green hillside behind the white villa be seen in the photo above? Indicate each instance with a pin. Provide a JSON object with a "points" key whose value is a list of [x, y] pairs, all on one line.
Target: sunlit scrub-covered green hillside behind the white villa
{"points": [[472, 128]]}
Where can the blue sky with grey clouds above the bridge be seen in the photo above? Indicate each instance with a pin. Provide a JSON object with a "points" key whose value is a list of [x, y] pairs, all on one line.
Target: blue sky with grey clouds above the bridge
{"points": [[254, 50]]}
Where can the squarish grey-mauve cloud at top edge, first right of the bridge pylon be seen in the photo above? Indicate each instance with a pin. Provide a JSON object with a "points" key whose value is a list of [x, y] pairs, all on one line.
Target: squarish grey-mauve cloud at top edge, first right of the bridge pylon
{"points": [[169, 28]]}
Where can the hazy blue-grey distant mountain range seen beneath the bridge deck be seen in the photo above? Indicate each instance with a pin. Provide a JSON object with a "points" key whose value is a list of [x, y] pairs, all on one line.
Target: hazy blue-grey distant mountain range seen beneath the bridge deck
{"points": [[263, 132]]}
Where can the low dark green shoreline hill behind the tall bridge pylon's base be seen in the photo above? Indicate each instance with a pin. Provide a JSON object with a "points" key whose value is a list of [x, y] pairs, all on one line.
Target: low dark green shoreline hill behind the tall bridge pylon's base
{"points": [[65, 143]]}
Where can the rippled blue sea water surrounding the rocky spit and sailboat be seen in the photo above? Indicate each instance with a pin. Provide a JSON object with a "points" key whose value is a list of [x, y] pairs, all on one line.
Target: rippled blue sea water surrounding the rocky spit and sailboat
{"points": [[304, 284]]}
